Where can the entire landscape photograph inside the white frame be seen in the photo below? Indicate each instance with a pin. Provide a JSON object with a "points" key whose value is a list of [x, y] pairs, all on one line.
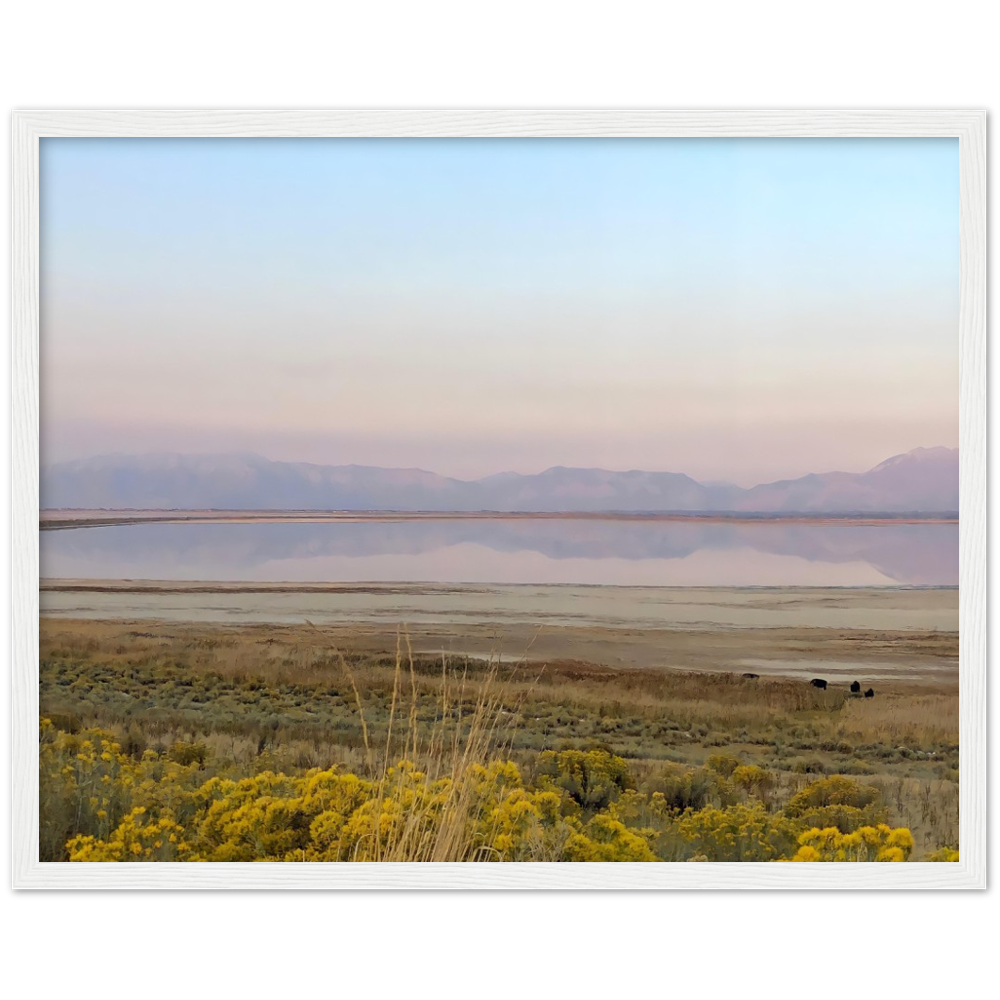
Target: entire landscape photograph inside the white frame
{"points": [[495, 498]]}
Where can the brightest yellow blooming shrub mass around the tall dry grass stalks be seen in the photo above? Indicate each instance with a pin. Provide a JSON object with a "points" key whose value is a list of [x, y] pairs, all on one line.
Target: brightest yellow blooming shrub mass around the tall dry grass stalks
{"points": [[329, 816]]}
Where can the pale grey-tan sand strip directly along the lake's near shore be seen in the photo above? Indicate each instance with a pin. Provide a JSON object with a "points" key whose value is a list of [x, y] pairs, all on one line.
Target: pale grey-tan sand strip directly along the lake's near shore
{"points": [[874, 608]]}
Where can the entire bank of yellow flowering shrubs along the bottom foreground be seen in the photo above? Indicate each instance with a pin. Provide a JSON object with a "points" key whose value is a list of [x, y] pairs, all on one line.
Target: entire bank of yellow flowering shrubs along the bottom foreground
{"points": [[101, 804]]}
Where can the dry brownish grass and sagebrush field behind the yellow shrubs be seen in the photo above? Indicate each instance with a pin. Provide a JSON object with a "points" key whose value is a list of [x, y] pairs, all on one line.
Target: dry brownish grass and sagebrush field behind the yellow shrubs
{"points": [[255, 699]]}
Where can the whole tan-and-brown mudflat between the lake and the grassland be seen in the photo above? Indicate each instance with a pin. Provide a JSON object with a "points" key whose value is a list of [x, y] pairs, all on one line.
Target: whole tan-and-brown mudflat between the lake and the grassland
{"points": [[876, 634]]}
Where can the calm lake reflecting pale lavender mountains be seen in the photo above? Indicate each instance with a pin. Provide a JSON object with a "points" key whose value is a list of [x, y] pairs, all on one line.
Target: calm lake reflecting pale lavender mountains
{"points": [[586, 551]]}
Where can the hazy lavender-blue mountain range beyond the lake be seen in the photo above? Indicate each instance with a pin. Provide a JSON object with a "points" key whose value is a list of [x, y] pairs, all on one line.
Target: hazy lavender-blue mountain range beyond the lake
{"points": [[924, 480]]}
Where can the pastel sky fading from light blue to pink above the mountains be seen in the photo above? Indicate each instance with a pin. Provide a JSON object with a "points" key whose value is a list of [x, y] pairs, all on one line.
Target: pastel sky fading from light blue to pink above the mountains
{"points": [[737, 309]]}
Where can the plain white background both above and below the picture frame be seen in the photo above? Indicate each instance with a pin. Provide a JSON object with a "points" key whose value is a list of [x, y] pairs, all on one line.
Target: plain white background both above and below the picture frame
{"points": [[458, 51]]}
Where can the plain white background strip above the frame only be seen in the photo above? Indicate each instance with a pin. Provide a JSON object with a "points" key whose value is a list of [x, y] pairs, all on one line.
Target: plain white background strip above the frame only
{"points": [[917, 50]]}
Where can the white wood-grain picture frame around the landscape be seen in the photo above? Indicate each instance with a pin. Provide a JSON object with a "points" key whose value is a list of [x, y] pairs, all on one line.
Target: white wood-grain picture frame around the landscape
{"points": [[28, 126]]}
